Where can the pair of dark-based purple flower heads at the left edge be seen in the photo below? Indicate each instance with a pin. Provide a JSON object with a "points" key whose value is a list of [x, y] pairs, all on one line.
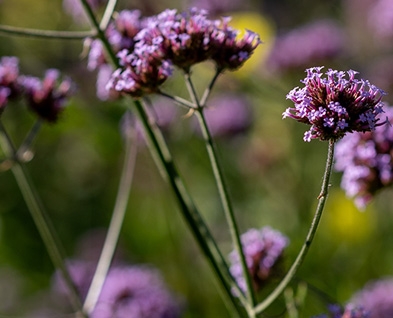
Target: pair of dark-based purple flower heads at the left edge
{"points": [[45, 97]]}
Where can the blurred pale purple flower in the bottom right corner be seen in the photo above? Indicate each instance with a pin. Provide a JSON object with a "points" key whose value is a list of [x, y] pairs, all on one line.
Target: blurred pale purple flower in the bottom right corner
{"points": [[377, 298]]}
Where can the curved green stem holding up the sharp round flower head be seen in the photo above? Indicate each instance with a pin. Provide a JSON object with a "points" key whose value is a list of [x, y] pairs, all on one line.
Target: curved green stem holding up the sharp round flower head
{"points": [[310, 235]]}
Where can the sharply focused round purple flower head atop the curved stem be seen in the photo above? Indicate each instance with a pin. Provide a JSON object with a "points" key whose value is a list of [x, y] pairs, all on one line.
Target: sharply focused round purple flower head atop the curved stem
{"points": [[335, 103]]}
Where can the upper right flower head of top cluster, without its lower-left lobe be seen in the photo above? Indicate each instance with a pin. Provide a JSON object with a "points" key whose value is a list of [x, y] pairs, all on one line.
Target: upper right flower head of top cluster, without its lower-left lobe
{"points": [[189, 38]]}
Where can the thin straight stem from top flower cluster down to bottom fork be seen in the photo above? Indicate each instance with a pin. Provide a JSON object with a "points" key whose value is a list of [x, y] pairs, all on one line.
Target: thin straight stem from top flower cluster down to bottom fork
{"points": [[222, 189]]}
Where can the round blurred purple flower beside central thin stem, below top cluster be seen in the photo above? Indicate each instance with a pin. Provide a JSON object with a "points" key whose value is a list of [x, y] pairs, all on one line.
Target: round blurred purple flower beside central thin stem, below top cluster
{"points": [[227, 115]]}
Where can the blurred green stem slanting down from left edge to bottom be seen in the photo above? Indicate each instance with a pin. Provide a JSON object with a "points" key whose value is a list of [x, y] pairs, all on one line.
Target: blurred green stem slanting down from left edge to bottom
{"points": [[41, 220]]}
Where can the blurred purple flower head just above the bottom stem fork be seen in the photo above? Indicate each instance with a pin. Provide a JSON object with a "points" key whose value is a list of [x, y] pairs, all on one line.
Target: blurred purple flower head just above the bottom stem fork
{"points": [[263, 249]]}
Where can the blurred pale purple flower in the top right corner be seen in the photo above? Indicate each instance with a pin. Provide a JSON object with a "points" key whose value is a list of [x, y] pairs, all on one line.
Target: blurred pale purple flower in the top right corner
{"points": [[381, 19]]}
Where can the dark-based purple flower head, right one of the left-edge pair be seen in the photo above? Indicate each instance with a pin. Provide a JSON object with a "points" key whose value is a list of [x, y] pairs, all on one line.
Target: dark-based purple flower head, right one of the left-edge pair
{"points": [[47, 97]]}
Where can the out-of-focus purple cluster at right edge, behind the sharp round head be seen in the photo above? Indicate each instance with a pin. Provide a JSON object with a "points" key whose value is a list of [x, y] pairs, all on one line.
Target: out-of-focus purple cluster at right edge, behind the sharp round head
{"points": [[366, 160]]}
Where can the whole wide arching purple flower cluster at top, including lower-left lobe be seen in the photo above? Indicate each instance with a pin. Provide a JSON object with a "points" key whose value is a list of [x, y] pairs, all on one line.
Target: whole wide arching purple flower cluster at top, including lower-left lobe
{"points": [[177, 39]]}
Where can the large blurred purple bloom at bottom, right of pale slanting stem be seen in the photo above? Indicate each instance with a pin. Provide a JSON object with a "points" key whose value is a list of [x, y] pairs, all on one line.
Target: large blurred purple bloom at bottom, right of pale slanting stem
{"points": [[136, 292]]}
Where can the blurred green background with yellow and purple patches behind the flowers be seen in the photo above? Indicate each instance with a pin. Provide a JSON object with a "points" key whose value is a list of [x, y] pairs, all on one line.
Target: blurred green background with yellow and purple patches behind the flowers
{"points": [[273, 176]]}
